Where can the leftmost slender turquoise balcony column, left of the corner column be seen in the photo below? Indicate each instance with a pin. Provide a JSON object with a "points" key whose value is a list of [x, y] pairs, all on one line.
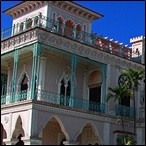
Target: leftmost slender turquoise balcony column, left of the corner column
{"points": [[16, 55]]}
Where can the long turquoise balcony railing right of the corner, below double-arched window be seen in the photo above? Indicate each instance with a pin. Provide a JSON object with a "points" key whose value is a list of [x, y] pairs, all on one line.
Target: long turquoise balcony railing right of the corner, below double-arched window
{"points": [[73, 102]]}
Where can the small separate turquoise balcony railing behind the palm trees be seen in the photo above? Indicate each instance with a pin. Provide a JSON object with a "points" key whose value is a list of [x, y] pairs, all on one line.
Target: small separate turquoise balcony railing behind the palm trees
{"points": [[124, 111]]}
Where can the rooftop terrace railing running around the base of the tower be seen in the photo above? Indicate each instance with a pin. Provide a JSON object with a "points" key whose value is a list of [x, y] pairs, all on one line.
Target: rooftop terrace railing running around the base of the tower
{"points": [[52, 26]]}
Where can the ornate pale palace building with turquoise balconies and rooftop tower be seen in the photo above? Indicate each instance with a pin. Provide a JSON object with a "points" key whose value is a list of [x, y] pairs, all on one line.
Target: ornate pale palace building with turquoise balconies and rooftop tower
{"points": [[55, 75]]}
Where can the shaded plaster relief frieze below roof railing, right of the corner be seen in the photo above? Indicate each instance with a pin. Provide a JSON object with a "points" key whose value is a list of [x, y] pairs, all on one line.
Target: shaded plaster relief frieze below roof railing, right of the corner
{"points": [[86, 51]]}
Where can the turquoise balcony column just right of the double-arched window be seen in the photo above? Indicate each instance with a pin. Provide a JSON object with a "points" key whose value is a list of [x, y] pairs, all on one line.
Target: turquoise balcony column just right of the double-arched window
{"points": [[73, 75]]}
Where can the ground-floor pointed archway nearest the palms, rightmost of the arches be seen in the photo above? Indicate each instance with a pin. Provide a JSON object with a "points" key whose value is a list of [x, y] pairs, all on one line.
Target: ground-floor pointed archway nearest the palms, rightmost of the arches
{"points": [[88, 136]]}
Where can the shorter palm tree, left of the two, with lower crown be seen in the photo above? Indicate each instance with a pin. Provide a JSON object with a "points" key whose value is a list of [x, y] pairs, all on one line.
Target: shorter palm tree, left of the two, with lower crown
{"points": [[119, 93]]}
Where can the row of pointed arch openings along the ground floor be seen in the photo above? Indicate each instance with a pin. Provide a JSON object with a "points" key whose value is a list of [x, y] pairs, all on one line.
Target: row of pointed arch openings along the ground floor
{"points": [[53, 133]]}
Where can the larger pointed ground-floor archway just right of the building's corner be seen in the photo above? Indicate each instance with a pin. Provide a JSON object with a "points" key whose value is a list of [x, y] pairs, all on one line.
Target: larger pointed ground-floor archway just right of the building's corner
{"points": [[52, 133]]}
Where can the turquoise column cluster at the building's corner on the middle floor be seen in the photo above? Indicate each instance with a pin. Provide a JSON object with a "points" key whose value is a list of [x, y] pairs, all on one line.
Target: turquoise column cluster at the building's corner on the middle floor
{"points": [[35, 70]]}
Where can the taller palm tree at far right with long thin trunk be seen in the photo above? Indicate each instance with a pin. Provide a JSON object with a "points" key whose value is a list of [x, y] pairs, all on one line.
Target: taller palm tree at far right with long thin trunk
{"points": [[134, 76]]}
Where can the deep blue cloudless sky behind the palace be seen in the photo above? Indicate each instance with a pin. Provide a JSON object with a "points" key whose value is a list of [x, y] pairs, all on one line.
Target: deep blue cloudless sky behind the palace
{"points": [[122, 19]]}
